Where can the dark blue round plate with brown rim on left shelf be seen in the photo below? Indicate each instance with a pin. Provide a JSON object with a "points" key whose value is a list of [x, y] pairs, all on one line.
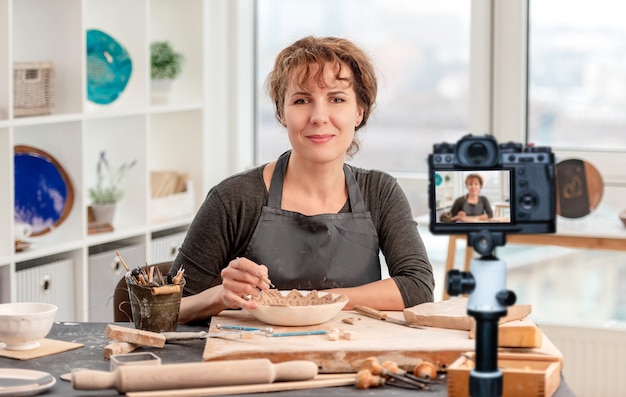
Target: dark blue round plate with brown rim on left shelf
{"points": [[43, 191]]}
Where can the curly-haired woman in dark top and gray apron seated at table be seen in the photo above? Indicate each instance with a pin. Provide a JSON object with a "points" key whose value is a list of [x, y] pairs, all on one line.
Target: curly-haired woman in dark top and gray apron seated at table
{"points": [[308, 221]]}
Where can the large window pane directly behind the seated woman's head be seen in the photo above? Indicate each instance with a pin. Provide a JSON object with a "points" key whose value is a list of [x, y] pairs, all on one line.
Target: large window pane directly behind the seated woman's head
{"points": [[421, 50]]}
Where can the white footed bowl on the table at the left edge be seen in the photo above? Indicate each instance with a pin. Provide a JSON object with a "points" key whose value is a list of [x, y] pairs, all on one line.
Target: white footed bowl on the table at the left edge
{"points": [[23, 325]]}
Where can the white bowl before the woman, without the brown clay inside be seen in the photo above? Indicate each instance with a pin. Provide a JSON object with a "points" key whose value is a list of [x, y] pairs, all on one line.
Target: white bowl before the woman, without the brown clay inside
{"points": [[302, 313]]}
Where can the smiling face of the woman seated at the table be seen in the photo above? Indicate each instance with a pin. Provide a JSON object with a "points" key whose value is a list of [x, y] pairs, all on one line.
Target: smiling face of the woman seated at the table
{"points": [[321, 117]]}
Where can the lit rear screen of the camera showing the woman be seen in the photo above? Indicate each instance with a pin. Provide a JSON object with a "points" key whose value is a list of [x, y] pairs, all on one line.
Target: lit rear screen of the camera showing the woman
{"points": [[472, 196]]}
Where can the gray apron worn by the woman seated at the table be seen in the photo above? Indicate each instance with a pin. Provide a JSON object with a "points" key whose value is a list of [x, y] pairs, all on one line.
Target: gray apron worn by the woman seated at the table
{"points": [[315, 252]]}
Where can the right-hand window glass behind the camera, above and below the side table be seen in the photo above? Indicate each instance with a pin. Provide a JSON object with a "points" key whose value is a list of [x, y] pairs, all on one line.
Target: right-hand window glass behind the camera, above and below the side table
{"points": [[576, 102]]}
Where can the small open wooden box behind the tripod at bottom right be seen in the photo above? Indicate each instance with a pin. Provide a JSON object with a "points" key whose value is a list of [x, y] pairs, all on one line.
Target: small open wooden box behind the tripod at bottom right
{"points": [[523, 375]]}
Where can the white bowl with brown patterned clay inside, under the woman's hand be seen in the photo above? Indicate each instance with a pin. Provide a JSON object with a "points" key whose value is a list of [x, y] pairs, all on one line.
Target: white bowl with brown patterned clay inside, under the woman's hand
{"points": [[297, 308]]}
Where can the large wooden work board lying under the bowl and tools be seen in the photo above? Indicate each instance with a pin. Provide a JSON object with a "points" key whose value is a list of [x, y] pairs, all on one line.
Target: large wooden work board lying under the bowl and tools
{"points": [[385, 341]]}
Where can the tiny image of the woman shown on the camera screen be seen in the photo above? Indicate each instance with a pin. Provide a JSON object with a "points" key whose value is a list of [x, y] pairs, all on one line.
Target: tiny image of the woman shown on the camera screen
{"points": [[472, 207]]}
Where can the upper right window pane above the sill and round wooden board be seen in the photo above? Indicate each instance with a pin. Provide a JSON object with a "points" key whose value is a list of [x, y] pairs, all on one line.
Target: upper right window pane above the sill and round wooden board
{"points": [[577, 74]]}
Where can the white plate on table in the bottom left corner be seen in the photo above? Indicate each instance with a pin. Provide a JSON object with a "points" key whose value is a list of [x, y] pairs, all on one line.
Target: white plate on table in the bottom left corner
{"points": [[24, 382]]}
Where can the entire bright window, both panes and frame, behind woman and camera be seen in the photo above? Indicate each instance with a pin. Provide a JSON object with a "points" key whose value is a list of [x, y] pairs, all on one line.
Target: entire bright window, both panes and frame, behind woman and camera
{"points": [[576, 91]]}
